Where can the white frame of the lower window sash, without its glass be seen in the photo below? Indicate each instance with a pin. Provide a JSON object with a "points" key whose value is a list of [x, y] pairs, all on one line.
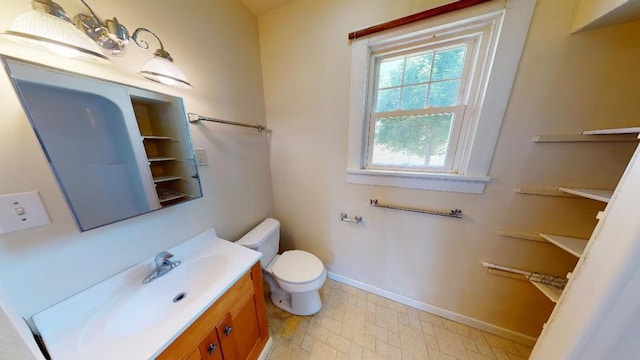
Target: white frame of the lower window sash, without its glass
{"points": [[454, 137]]}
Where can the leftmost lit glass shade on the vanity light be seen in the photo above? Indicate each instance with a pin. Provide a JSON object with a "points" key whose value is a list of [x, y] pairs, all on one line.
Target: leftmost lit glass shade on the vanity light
{"points": [[55, 34]]}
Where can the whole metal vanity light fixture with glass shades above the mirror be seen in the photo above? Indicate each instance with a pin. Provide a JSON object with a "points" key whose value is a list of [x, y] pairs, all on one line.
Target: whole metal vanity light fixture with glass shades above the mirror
{"points": [[49, 25]]}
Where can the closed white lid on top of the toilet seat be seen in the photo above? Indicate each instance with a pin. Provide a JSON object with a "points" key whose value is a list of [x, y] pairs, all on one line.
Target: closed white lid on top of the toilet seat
{"points": [[297, 267]]}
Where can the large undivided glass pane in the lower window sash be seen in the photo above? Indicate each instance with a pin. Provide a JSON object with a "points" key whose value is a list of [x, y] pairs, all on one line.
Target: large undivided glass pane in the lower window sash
{"points": [[418, 141]]}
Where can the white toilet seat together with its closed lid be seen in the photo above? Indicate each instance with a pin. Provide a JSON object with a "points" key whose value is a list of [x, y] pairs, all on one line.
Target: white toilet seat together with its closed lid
{"points": [[298, 271]]}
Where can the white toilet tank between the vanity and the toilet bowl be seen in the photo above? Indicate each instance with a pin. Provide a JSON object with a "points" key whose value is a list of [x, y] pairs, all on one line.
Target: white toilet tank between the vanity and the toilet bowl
{"points": [[264, 238]]}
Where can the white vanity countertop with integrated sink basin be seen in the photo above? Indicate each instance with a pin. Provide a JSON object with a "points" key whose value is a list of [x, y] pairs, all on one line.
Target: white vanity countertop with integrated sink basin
{"points": [[121, 318]]}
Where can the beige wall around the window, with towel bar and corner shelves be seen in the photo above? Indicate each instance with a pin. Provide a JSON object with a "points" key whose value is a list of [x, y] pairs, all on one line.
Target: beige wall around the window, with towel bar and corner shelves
{"points": [[564, 84]]}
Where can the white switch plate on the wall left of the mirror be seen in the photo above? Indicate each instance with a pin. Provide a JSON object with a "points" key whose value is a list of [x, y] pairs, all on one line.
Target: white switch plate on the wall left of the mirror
{"points": [[22, 211]]}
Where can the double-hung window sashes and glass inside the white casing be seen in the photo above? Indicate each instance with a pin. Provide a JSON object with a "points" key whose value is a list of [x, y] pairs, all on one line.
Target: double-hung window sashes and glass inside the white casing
{"points": [[417, 107]]}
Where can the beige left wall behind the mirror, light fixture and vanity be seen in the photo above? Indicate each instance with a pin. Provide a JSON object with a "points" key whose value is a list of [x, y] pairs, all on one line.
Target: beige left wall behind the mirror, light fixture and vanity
{"points": [[216, 45]]}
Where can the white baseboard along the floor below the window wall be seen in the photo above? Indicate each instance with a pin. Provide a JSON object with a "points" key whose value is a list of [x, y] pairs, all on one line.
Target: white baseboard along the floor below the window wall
{"points": [[466, 320]]}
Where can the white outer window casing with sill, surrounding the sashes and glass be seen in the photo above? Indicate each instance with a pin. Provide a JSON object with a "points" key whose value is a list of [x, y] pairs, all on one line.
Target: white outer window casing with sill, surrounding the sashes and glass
{"points": [[498, 53]]}
